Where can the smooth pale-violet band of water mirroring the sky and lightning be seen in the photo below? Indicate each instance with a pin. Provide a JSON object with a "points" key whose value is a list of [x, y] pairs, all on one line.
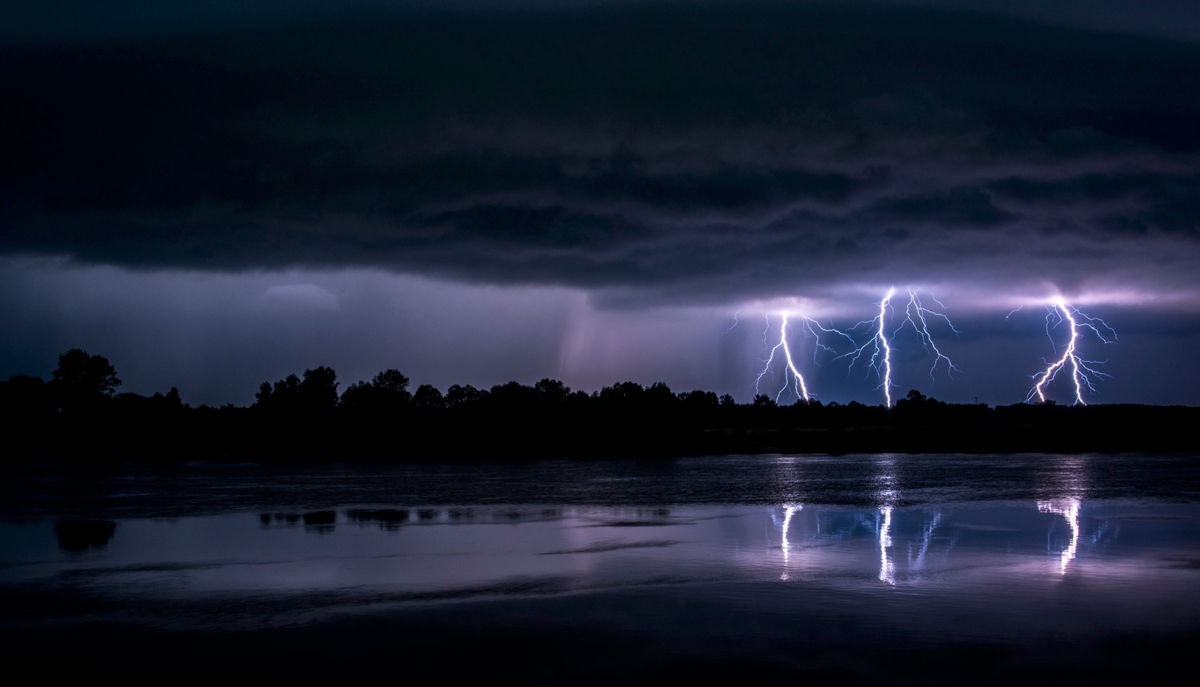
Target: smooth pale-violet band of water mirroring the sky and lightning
{"points": [[385, 555]]}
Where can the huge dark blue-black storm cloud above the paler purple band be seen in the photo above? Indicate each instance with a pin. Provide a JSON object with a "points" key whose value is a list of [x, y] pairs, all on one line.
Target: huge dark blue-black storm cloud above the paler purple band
{"points": [[647, 152]]}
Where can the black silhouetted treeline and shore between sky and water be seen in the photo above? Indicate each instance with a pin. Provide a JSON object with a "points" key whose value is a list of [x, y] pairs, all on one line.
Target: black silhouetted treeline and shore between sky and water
{"points": [[79, 415]]}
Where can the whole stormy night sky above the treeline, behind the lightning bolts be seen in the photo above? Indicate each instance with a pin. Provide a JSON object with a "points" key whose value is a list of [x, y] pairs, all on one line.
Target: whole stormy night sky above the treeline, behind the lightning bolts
{"points": [[217, 194]]}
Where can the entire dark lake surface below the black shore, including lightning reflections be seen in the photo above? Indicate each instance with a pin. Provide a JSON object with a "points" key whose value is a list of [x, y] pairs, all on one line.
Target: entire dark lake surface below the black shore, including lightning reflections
{"points": [[849, 570]]}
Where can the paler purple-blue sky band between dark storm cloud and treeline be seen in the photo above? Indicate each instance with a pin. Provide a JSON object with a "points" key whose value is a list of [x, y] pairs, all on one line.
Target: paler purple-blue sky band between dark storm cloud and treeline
{"points": [[217, 337]]}
